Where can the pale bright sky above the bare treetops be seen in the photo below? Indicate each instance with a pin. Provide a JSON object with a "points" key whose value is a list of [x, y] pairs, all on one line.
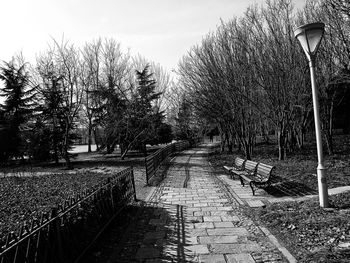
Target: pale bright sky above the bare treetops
{"points": [[160, 30]]}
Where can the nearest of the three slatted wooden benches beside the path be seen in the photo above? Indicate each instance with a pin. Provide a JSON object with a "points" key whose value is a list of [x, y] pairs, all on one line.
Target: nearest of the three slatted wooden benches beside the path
{"points": [[261, 178]]}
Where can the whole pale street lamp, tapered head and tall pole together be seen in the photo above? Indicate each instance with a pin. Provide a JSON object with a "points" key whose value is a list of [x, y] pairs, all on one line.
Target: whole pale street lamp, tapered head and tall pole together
{"points": [[310, 36]]}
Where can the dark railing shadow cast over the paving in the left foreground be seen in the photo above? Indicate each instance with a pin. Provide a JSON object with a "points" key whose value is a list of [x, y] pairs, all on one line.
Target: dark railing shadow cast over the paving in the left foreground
{"points": [[152, 233]]}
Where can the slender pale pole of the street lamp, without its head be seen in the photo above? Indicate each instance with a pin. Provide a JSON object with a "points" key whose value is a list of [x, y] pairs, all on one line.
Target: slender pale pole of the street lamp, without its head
{"points": [[321, 170]]}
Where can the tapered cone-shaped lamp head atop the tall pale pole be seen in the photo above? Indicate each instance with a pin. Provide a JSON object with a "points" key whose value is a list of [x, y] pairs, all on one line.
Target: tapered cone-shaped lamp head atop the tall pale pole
{"points": [[310, 36]]}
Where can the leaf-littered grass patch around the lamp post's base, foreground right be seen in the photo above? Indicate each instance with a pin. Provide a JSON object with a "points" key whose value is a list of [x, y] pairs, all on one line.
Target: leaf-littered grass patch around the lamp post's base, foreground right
{"points": [[311, 233]]}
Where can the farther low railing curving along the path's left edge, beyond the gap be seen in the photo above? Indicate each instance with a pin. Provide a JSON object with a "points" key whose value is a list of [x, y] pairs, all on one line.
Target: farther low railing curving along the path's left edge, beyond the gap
{"points": [[155, 160]]}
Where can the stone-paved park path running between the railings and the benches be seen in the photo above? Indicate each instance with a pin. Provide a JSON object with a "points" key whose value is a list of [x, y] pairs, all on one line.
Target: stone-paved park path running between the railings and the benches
{"points": [[193, 217]]}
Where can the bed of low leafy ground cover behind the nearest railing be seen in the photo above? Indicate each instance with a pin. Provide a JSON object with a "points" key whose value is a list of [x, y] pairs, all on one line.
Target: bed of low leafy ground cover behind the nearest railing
{"points": [[24, 198]]}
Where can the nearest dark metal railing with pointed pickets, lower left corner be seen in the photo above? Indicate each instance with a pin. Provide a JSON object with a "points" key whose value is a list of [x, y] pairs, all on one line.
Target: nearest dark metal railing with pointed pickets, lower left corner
{"points": [[65, 233]]}
